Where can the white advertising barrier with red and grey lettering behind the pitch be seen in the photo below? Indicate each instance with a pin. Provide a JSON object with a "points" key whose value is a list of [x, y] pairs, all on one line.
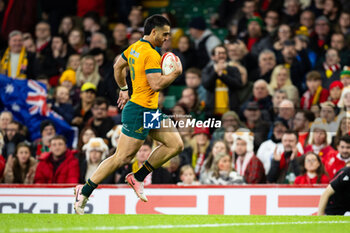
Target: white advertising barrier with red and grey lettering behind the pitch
{"points": [[167, 199]]}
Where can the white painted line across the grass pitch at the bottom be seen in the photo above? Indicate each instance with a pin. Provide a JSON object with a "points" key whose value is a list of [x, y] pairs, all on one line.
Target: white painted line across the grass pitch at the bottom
{"points": [[125, 228]]}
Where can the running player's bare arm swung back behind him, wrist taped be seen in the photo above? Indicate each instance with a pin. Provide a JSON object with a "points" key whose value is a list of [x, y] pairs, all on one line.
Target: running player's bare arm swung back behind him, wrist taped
{"points": [[120, 78]]}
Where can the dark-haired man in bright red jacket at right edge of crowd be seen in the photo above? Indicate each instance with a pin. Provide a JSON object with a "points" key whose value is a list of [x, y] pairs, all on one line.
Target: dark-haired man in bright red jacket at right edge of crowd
{"points": [[337, 160]]}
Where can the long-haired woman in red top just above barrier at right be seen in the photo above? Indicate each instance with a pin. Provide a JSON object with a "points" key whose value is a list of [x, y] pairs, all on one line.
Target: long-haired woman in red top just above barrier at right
{"points": [[312, 171]]}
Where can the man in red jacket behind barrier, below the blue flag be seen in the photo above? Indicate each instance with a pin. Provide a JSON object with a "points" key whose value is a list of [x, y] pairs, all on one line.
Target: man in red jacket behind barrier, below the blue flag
{"points": [[57, 166]]}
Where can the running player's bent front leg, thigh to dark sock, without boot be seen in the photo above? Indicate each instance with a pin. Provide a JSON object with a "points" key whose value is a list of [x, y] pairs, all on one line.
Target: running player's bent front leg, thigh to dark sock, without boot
{"points": [[171, 145]]}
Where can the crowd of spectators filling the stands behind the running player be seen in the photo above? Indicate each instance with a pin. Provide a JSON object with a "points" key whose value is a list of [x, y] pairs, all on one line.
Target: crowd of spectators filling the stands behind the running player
{"points": [[279, 82]]}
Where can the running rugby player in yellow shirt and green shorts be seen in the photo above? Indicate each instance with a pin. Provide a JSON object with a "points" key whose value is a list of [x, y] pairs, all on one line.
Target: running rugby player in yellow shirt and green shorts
{"points": [[143, 59]]}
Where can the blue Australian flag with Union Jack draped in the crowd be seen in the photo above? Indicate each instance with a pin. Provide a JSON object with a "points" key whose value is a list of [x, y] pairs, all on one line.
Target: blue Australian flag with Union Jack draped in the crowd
{"points": [[26, 99]]}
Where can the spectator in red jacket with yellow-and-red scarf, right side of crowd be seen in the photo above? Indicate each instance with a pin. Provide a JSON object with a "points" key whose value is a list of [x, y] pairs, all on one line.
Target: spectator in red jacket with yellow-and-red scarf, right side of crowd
{"points": [[315, 94]]}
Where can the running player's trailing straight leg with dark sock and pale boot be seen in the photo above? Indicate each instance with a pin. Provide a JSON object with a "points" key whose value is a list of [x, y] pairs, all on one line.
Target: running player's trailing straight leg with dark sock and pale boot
{"points": [[126, 150]]}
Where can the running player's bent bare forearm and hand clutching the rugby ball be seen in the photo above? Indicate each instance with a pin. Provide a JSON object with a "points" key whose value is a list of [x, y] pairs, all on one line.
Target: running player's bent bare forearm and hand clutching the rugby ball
{"points": [[159, 82]]}
